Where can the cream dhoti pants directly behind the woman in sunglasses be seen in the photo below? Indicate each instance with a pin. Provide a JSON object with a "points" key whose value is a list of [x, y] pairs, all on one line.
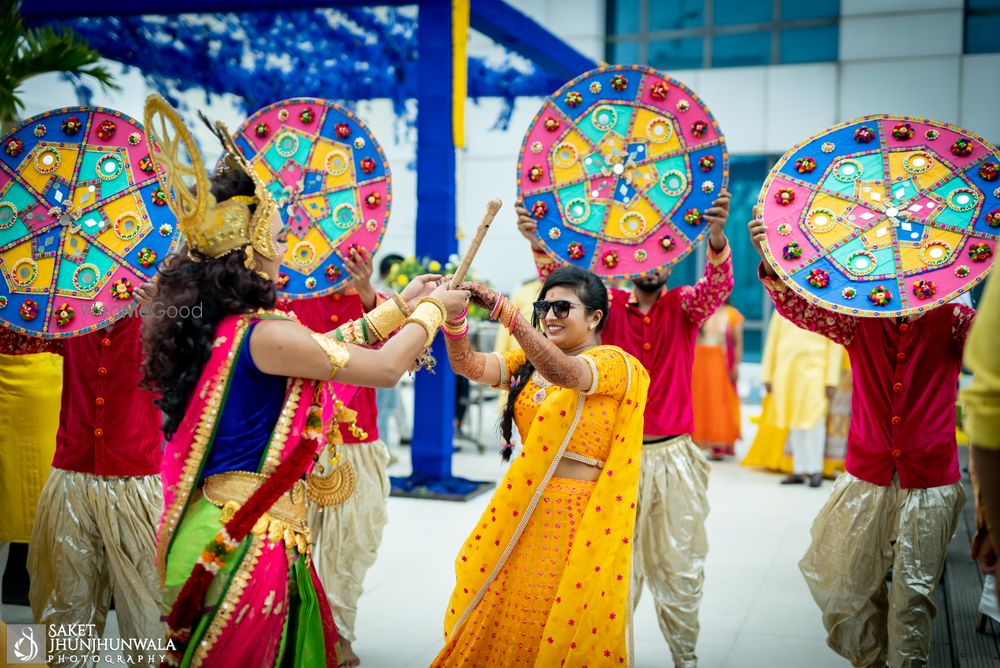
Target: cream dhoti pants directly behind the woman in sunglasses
{"points": [[670, 540]]}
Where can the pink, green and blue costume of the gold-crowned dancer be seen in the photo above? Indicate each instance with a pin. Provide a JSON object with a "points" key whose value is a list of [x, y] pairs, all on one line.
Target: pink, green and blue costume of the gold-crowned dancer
{"points": [[233, 548]]}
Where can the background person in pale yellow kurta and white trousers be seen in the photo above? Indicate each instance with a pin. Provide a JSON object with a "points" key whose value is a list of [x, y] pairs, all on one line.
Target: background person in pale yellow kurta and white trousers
{"points": [[800, 371]]}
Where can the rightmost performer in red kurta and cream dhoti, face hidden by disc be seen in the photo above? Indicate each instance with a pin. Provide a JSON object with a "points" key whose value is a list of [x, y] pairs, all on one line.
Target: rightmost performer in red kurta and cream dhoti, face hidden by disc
{"points": [[899, 502]]}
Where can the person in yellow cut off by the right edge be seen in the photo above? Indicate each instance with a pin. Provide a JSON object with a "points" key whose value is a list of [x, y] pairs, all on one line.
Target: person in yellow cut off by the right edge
{"points": [[982, 420]]}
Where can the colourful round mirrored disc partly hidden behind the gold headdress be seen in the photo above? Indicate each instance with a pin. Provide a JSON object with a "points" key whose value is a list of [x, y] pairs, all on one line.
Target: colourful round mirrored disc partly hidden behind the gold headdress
{"points": [[332, 179]]}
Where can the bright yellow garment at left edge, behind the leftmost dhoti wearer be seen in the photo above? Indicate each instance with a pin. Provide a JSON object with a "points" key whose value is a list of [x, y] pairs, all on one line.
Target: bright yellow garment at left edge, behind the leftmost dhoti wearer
{"points": [[30, 387]]}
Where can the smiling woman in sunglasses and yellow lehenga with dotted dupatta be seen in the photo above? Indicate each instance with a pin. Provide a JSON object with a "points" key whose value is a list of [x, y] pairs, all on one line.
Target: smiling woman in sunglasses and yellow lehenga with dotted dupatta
{"points": [[543, 578]]}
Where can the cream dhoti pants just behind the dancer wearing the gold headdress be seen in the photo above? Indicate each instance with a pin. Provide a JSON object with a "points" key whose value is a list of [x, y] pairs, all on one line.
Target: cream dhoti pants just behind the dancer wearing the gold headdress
{"points": [[346, 537]]}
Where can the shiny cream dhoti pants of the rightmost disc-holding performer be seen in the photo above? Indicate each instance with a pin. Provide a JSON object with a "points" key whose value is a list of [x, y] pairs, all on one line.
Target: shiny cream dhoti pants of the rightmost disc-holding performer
{"points": [[861, 531]]}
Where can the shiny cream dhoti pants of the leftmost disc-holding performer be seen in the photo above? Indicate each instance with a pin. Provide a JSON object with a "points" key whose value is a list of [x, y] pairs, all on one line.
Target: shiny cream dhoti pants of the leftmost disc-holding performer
{"points": [[94, 537]]}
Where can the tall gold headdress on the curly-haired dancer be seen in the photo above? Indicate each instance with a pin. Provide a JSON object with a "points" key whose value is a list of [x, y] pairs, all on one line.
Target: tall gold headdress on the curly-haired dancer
{"points": [[210, 229]]}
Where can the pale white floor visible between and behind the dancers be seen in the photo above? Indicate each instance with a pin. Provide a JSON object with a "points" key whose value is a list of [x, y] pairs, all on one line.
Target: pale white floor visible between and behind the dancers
{"points": [[756, 610]]}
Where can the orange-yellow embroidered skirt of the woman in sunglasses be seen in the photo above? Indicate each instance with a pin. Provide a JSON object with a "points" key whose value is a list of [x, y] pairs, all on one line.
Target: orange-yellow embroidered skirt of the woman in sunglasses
{"points": [[505, 628]]}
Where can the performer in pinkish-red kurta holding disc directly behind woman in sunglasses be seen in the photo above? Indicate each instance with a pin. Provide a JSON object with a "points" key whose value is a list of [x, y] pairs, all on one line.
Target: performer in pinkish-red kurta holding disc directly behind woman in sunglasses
{"points": [[660, 327]]}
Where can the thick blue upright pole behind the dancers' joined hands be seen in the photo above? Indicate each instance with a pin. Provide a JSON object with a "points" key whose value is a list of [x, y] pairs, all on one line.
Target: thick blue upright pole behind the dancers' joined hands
{"points": [[433, 429]]}
